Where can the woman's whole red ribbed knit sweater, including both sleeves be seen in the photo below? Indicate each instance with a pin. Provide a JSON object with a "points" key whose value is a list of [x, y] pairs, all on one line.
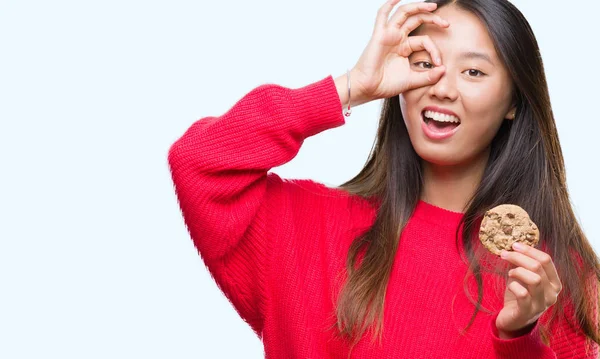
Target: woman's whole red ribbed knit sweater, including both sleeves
{"points": [[276, 247]]}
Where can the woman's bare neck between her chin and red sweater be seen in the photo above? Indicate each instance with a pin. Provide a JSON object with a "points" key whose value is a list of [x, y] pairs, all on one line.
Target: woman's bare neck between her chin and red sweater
{"points": [[451, 187]]}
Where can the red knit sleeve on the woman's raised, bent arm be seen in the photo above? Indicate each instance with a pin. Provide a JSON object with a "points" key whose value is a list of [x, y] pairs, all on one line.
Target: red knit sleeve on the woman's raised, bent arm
{"points": [[227, 197]]}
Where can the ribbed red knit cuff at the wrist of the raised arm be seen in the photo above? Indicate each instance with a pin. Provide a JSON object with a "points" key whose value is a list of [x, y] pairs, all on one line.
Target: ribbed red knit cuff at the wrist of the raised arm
{"points": [[319, 106]]}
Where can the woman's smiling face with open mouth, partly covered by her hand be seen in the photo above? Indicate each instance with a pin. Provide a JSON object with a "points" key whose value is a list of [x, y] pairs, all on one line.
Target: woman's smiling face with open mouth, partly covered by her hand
{"points": [[476, 89]]}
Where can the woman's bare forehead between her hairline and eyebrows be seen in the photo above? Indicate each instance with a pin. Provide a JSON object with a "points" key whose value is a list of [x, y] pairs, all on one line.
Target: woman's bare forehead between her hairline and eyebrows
{"points": [[465, 33]]}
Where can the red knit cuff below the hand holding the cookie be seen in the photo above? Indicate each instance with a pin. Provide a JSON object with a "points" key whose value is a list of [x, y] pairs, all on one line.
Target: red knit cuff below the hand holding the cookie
{"points": [[525, 346]]}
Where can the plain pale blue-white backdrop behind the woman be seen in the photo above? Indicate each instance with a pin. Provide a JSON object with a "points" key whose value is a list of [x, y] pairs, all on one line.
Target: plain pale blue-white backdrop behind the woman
{"points": [[95, 260]]}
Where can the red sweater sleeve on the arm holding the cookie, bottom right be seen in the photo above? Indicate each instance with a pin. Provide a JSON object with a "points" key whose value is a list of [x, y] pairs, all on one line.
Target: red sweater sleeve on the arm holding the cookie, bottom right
{"points": [[565, 342]]}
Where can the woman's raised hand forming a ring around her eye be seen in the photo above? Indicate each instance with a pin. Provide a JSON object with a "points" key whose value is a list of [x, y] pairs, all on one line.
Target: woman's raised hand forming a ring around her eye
{"points": [[383, 69]]}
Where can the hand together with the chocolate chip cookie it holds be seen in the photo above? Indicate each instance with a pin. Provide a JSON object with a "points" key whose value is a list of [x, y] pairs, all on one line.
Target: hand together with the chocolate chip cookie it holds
{"points": [[533, 284]]}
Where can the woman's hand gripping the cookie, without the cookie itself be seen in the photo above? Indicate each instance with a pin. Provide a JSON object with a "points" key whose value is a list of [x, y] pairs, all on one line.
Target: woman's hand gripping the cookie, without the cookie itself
{"points": [[533, 286]]}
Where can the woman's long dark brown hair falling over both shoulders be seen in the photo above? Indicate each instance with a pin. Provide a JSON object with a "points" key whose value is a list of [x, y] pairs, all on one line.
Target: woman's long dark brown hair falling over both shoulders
{"points": [[525, 167]]}
